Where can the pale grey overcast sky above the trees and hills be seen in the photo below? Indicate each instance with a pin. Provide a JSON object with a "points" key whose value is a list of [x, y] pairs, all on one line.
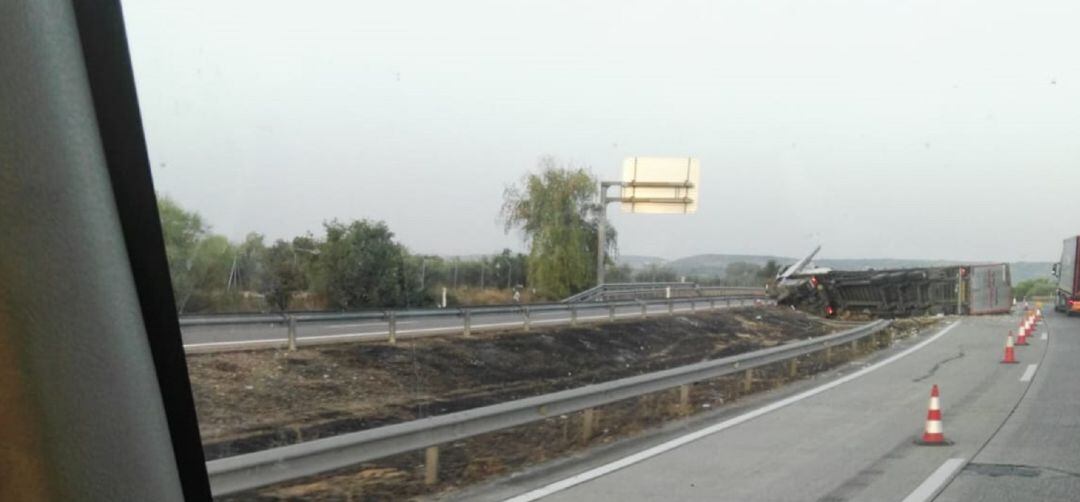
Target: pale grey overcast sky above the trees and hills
{"points": [[877, 129]]}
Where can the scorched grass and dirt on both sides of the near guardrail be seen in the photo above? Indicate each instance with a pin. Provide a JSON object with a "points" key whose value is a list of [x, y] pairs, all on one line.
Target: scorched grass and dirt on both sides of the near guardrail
{"points": [[308, 395]]}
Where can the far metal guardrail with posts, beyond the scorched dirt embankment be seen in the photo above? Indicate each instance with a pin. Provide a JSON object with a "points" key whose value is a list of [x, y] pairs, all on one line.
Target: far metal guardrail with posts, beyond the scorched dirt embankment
{"points": [[292, 321]]}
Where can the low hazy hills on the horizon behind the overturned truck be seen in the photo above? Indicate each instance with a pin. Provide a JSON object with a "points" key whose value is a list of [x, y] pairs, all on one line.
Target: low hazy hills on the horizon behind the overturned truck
{"points": [[714, 265]]}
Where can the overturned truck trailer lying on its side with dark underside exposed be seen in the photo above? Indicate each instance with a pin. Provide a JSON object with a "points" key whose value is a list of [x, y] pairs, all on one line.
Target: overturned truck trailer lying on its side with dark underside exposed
{"points": [[966, 290]]}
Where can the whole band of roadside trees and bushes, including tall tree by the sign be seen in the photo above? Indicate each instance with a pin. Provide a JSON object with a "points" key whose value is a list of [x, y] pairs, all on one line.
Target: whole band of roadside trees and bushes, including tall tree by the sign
{"points": [[360, 265]]}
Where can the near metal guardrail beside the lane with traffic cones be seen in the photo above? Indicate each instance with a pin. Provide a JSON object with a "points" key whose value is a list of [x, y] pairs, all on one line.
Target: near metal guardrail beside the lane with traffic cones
{"points": [[234, 474]]}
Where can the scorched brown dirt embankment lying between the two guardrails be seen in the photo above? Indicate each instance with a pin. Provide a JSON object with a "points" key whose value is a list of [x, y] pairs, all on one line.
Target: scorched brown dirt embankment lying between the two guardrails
{"points": [[253, 401]]}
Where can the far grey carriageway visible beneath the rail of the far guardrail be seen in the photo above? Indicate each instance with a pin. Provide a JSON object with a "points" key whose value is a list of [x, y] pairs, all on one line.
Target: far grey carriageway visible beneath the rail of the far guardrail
{"points": [[219, 337]]}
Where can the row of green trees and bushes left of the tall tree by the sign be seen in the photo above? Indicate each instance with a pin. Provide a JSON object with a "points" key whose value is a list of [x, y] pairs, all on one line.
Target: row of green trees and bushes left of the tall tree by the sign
{"points": [[352, 266]]}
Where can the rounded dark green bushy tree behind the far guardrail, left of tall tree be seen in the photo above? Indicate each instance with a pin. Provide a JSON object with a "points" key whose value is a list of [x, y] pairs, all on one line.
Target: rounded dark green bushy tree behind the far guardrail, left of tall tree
{"points": [[360, 265]]}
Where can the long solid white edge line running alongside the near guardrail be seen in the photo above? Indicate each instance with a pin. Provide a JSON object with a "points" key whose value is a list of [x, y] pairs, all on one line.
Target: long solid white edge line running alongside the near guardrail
{"points": [[647, 454]]}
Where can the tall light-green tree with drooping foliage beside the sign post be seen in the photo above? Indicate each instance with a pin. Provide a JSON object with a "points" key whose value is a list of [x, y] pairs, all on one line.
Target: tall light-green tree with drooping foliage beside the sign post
{"points": [[557, 212]]}
